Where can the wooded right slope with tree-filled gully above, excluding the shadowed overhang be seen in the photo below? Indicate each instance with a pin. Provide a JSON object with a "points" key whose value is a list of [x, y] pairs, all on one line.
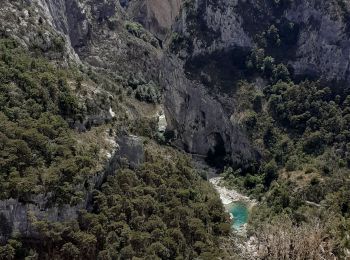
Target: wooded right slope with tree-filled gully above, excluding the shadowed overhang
{"points": [[301, 130]]}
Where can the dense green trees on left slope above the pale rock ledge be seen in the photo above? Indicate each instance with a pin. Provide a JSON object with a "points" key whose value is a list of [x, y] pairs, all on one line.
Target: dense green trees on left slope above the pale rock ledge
{"points": [[38, 152]]}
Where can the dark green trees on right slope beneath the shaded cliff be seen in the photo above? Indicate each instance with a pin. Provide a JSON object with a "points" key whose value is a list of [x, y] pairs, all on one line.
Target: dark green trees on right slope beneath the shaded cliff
{"points": [[303, 121]]}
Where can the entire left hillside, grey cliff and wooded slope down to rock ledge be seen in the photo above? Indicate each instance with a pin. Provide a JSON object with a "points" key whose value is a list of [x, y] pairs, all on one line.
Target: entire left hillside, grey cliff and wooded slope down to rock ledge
{"points": [[81, 105]]}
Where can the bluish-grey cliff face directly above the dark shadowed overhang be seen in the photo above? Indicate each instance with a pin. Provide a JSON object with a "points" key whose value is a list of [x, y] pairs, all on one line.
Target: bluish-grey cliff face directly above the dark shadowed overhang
{"points": [[213, 25]]}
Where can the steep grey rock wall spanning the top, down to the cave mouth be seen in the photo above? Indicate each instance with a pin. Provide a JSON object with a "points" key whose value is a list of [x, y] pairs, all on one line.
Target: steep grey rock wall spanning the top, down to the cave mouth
{"points": [[96, 31]]}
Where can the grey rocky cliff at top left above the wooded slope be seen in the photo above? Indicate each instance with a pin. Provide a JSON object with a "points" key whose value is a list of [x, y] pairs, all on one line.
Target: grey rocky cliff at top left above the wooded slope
{"points": [[91, 32]]}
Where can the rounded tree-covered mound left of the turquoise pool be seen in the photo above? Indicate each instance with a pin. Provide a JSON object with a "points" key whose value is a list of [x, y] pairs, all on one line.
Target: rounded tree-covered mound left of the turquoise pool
{"points": [[162, 210]]}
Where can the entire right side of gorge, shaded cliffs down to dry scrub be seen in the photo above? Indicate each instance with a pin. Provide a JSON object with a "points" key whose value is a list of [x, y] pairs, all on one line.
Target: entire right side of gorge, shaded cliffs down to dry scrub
{"points": [[278, 72]]}
